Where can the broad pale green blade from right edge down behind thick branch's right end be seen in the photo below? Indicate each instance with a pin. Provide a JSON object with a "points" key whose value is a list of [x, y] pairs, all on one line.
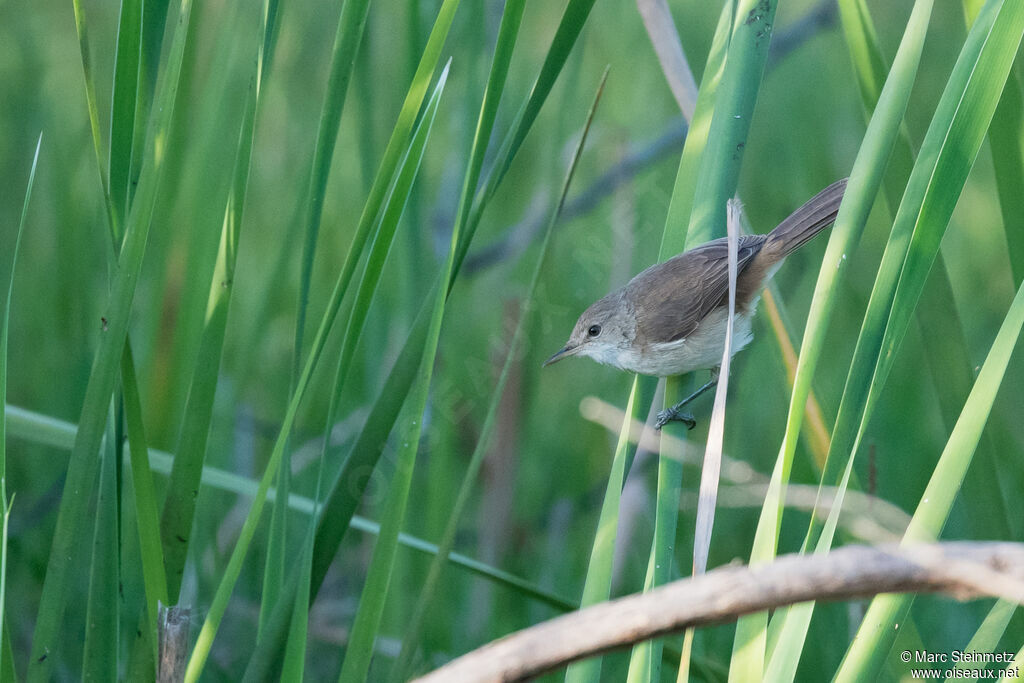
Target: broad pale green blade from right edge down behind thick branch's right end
{"points": [[871, 648]]}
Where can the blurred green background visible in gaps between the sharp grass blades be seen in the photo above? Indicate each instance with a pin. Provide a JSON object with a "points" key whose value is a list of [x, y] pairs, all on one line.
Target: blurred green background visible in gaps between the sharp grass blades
{"points": [[536, 504]]}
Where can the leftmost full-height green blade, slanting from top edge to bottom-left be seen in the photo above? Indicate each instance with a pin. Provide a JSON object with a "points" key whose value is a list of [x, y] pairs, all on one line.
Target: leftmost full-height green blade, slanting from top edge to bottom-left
{"points": [[83, 464]]}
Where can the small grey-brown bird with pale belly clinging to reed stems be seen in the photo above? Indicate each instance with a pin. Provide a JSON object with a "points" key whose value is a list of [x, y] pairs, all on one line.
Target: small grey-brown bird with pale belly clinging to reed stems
{"points": [[671, 319]]}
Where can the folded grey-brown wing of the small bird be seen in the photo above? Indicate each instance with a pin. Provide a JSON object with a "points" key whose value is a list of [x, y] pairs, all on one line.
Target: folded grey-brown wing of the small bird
{"points": [[667, 313]]}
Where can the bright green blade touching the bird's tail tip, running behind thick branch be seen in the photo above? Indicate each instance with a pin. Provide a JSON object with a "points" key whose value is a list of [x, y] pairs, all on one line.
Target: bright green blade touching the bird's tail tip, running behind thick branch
{"points": [[866, 181]]}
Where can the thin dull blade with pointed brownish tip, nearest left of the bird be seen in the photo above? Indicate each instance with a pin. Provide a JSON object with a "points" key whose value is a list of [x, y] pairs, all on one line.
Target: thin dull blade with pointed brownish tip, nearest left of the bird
{"points": [[401, 671]]}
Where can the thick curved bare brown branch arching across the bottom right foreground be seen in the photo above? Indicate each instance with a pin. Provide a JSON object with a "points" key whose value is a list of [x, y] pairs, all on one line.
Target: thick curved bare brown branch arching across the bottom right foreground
{"points": [[724, 594]]}
